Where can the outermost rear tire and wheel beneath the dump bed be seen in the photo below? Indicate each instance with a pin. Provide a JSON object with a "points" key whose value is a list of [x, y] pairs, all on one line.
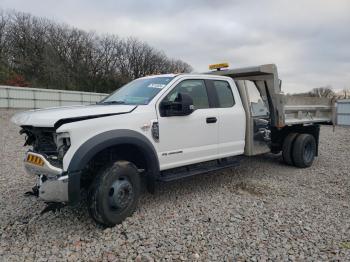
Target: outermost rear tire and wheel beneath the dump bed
{"points": [[304, 150]]}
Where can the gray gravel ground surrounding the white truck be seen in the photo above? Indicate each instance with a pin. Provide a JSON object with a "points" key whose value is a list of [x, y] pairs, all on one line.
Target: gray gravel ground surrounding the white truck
{"points": [[262, 210]]}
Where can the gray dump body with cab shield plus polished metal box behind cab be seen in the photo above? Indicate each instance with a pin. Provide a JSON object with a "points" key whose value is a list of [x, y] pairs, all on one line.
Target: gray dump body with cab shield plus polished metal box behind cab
{"points": [[282, 110]]}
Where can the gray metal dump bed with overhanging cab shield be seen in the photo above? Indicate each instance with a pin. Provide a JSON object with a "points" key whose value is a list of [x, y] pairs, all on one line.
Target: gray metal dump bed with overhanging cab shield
{"points": [[284, 109]]}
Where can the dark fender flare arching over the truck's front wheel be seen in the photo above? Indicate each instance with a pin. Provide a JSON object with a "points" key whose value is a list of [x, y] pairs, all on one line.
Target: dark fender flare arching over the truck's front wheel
{"points": [[100, 142]]}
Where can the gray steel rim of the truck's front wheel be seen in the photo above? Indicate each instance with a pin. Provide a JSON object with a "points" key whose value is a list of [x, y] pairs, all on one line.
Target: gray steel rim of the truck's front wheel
{"points": [[120, 194]]}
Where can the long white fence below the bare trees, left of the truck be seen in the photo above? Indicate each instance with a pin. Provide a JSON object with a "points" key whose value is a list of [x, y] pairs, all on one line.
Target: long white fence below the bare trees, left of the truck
{"points": [[25, 97]]}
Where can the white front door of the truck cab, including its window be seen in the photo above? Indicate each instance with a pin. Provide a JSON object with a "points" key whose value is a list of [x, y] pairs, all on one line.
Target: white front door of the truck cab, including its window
{"points": [[185, 140]]}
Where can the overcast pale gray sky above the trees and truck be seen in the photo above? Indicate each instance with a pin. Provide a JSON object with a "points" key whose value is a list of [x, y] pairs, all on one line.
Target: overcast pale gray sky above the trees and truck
{"points": [[309, 40]]}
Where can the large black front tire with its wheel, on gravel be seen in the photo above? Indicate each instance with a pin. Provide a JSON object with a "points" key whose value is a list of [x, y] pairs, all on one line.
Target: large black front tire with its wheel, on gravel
{"points": [[114, 193]]}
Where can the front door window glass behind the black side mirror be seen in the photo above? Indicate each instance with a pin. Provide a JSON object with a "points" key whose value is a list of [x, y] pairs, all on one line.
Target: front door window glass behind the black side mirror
{"points": [[195, 89]]}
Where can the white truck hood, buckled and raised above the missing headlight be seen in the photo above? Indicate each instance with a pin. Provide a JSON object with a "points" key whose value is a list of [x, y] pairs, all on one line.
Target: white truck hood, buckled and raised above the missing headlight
{"points": [[57, 116]]}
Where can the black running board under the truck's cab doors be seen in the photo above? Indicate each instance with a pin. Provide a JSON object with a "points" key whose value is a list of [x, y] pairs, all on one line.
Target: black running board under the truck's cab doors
{"points": [[197, 169]]}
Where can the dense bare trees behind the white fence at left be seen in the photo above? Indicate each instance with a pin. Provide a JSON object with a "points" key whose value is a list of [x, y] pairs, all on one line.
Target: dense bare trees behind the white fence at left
{"points": [[41, 53]]}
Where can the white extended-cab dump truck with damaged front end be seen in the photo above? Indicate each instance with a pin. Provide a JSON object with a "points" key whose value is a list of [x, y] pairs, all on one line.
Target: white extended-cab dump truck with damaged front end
{"points": [[162, 128]]}
